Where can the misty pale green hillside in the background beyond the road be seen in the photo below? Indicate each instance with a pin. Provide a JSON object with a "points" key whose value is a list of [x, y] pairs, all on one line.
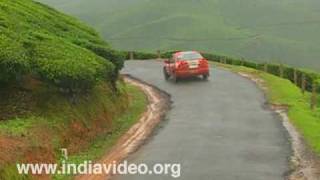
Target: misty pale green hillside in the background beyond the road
{"points": [[283, 31]]}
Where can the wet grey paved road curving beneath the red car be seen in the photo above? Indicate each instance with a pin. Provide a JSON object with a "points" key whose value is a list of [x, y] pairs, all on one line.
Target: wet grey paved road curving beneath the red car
{"points": [[217, 130]]}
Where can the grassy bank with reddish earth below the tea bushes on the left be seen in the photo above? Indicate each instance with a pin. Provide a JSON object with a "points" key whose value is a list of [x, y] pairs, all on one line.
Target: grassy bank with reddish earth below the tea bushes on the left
{"points": [[87, 126]]}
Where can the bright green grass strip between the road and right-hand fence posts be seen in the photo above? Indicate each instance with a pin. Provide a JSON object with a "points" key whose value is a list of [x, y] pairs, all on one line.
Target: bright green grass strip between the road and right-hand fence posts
{"points": [[284, 92]]}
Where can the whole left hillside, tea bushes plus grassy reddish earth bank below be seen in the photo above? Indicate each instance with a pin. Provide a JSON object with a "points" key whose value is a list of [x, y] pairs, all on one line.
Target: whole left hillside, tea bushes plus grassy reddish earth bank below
{"points": [[59, 88]]}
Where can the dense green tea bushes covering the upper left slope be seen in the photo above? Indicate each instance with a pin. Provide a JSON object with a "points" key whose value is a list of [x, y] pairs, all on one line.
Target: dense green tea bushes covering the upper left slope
{"points": [[36, 40]]}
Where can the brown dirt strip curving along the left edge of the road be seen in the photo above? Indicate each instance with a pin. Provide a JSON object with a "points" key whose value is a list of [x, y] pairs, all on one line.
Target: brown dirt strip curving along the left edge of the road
{"points": [[159, 103]]}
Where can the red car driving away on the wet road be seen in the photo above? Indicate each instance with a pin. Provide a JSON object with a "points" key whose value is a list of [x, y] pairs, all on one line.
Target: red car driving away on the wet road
{"points": [[186, 64]]}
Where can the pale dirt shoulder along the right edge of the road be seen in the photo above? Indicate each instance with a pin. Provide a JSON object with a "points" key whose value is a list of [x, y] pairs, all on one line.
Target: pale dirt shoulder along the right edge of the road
{"points": [[305, 164]]}
